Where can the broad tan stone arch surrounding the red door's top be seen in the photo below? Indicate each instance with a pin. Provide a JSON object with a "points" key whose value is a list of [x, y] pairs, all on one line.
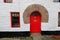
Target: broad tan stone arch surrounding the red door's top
{"points": [[35, 7]]}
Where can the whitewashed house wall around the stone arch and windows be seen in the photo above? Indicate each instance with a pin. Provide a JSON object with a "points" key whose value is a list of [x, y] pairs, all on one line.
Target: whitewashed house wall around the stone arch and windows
{"points": [[20, 6]]}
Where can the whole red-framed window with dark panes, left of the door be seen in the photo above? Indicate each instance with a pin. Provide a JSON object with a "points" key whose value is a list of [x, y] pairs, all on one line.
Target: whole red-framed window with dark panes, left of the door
{"points": [[15, 19]]}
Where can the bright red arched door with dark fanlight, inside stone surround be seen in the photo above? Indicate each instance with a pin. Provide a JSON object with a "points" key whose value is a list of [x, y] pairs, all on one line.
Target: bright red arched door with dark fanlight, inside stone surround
{"points": [[35, 22]]}
